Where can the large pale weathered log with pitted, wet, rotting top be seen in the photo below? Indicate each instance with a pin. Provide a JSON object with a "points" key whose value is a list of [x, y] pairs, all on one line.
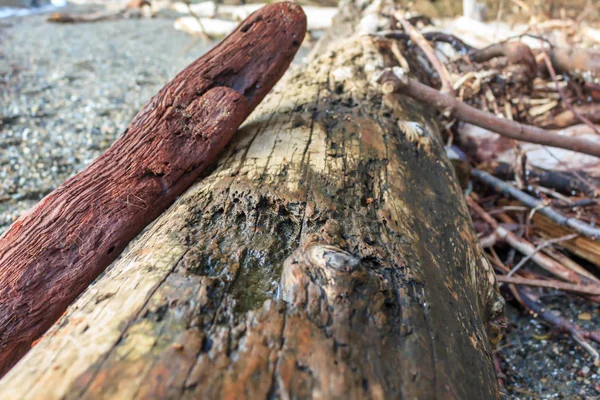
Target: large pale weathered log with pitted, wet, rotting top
{"points": [[329, 255]]}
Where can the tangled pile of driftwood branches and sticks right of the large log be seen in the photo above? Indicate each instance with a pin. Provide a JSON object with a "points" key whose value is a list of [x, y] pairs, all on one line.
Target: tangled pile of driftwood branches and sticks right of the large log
{"points": [[522, 124]]}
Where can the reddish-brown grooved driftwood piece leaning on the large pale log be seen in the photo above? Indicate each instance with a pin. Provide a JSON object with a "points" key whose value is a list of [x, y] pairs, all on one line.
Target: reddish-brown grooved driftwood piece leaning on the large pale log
{"points": [[51, 254]]}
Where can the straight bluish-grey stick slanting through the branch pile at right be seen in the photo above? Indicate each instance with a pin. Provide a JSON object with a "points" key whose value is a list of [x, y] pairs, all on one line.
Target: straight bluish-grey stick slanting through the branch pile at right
{"points": [[530, 201]]}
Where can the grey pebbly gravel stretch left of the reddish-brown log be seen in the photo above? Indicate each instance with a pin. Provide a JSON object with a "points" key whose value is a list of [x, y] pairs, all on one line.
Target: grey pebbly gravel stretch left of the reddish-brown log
{"points": [[67, 91]]}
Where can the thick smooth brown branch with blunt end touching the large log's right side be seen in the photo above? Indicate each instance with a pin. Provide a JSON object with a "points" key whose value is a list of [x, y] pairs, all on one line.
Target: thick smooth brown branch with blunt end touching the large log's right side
{"points": [[512, 129]]}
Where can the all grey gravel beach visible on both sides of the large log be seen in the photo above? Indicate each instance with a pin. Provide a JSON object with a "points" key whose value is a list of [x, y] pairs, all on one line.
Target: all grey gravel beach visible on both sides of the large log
{"points": [[67, 91]]}
